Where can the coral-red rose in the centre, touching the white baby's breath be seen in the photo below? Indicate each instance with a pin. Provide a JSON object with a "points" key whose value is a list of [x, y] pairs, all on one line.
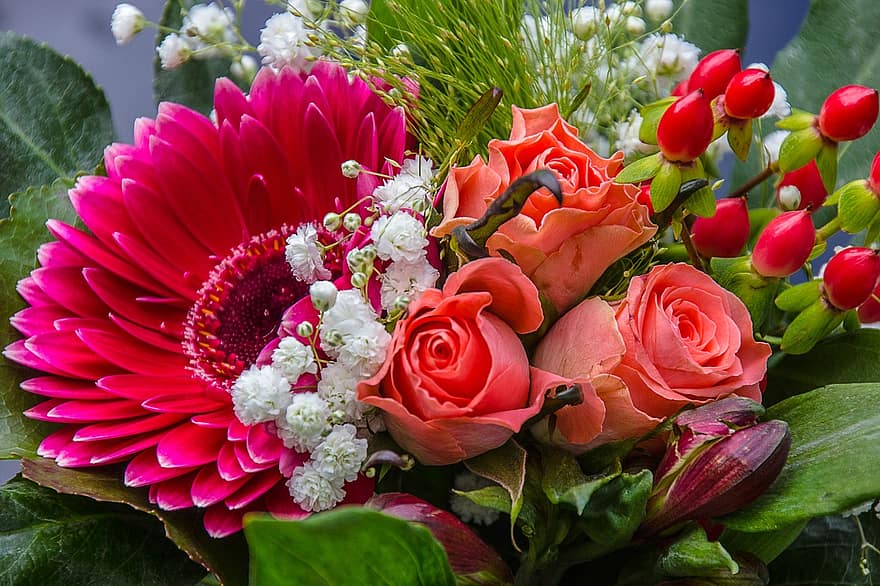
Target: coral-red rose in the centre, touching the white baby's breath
{"points": [[455, 382]]}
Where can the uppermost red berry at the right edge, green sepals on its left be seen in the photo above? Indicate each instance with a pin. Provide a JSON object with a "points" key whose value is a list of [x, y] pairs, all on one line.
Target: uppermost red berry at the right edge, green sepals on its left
{"points": [[849, 113]]}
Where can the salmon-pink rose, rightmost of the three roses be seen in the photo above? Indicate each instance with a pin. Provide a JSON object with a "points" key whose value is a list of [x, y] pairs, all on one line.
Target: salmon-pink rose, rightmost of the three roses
{"points": [[678, 338]]}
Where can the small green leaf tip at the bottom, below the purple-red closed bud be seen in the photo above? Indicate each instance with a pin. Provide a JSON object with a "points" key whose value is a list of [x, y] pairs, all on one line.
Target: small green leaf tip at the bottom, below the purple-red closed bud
{"points": [[694, 555]]}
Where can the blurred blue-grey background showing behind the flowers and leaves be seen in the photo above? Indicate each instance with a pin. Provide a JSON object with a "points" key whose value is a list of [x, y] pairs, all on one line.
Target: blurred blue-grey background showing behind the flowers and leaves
{"points": [[81, 29]]}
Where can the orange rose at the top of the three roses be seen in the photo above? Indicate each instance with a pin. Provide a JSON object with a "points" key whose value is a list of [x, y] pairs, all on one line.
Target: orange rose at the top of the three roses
{"points": [[563, 250]]}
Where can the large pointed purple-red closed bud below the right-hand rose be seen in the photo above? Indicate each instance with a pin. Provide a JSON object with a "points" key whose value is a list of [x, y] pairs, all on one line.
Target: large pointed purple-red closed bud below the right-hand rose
{"points": [[722, 478]]}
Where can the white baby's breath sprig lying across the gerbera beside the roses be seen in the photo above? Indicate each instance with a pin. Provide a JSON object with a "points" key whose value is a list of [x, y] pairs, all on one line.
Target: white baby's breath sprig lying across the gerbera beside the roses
{"points": [[363, 266]]}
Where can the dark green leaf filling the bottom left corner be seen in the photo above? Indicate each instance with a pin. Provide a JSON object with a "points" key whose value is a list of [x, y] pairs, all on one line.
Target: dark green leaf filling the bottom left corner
{"points": [[51, 539]]}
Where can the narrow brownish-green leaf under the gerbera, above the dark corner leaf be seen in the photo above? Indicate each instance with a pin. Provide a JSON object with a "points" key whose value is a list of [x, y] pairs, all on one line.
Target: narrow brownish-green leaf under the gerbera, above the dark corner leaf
{"points": [[224, 557]]}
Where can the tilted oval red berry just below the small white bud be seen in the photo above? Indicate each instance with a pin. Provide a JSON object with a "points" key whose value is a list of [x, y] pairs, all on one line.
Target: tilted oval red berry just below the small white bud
{"points": [[784, 245]]}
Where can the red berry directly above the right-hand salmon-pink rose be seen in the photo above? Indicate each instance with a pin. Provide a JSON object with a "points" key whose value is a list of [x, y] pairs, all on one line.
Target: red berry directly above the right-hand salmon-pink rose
{"points": [[724, 234]]}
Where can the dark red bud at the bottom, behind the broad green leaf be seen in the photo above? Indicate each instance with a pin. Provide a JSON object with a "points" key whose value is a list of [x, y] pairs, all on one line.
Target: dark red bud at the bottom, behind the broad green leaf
{"points": [[469, 556]]}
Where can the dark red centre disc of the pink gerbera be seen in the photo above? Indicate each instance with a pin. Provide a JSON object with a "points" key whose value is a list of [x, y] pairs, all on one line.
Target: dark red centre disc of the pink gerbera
{"points": [[239, 308]]}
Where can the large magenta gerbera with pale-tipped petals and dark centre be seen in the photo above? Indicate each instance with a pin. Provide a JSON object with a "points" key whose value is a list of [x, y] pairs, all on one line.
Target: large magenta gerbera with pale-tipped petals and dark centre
{"points": [[142, 322]]}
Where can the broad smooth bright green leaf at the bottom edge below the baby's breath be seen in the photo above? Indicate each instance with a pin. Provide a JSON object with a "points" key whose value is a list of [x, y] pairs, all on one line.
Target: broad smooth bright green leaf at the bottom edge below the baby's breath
{"points": [[348, 545]]}
